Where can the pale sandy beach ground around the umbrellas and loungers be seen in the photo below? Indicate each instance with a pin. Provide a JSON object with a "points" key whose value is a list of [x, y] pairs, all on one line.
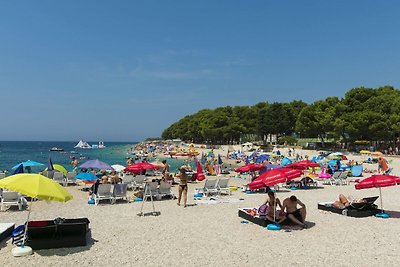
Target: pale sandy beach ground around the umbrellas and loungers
{"points": [[212, 234]]}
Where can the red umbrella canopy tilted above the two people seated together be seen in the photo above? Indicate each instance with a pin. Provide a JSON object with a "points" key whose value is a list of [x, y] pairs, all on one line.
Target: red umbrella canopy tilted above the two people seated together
{"points": [[274, 176]]}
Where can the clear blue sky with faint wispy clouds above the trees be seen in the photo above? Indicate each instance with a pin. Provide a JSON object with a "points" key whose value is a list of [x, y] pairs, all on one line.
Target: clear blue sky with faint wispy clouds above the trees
{"points": [[126, 70]]}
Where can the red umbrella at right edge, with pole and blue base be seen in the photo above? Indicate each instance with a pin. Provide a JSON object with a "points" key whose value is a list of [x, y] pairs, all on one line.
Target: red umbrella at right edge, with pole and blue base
{"points": [[378, 181]]}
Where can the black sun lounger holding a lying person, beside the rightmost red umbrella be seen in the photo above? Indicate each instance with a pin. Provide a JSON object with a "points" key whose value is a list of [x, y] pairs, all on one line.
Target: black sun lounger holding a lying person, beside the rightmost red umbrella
{"points": [[357, 210]]}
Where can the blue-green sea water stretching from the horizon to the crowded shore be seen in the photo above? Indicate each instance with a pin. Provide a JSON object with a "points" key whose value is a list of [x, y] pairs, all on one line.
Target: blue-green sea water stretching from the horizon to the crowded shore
{"points": [[15, 152]]}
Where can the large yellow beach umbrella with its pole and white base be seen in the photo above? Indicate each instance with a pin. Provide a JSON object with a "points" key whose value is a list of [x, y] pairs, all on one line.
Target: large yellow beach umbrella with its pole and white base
{"points": [[34, 186]]}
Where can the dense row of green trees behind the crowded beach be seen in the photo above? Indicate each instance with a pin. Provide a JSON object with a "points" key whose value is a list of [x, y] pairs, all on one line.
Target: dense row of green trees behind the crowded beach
{"points": [[370, 114]]}
